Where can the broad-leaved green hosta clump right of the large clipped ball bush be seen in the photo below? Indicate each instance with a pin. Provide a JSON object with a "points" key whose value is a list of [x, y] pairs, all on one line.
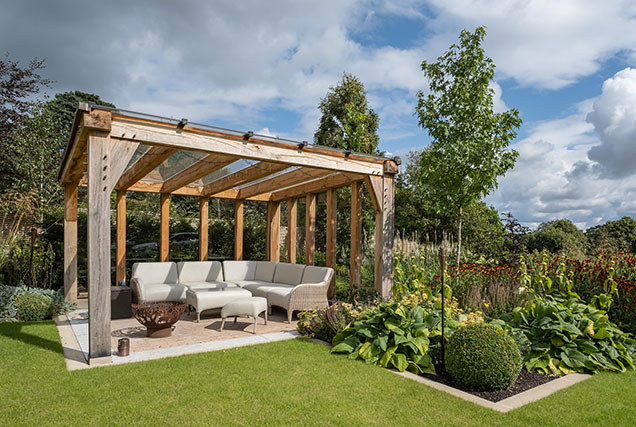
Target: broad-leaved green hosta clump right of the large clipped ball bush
{"points": [[565, 333]]}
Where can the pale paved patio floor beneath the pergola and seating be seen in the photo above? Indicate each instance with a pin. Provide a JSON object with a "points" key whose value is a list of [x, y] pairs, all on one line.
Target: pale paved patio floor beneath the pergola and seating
{"points": [[188, 336]]}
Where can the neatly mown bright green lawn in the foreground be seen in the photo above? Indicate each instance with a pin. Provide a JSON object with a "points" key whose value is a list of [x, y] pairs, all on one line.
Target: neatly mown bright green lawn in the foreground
{"points": [[290, 382]]}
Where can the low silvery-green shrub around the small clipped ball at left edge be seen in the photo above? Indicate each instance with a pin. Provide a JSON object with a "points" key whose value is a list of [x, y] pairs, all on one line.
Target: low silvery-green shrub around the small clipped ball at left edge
{"points": [[12, 301]]}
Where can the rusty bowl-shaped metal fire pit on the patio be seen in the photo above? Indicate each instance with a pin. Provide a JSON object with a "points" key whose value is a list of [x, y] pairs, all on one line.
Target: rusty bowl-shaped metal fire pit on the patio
{"points": [[158, 317]]}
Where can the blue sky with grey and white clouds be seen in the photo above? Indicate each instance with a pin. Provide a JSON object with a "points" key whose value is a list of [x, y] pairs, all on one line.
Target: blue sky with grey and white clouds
{"points": [[568, 66]]}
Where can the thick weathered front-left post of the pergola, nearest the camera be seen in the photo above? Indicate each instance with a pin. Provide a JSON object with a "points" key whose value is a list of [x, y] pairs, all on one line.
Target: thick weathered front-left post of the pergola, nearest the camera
{"points": [[98, 226]]}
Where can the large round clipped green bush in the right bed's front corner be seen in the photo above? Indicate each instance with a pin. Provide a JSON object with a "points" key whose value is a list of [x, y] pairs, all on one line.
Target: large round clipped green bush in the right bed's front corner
{"points": [[483, 357]]}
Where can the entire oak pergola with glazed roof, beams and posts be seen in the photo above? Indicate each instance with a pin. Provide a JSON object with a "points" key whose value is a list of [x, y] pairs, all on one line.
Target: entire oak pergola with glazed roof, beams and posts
{"points": [[116, 150]]}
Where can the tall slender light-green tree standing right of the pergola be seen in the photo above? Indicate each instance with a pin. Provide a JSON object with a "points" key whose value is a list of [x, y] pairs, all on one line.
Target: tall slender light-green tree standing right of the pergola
{"points": [[469, 140]]}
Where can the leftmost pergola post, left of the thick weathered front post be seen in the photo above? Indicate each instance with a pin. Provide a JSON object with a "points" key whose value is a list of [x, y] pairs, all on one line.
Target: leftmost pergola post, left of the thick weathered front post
{"points": [[70, 243]]}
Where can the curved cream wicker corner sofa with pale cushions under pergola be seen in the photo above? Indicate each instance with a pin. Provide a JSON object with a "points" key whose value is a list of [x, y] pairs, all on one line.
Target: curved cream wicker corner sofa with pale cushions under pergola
{"points": [[290, 286]]}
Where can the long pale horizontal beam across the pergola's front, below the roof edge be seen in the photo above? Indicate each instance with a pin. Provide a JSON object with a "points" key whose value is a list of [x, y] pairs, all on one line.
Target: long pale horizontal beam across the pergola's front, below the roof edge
{"points": [[211, 142]]}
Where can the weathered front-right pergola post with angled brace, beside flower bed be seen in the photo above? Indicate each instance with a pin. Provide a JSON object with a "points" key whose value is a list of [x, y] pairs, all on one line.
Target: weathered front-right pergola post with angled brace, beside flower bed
{"points": [[382, 194]]}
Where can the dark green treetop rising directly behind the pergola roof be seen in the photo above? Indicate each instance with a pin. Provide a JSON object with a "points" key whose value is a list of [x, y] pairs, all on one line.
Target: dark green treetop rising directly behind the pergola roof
{"points": [[347, 122]]}
